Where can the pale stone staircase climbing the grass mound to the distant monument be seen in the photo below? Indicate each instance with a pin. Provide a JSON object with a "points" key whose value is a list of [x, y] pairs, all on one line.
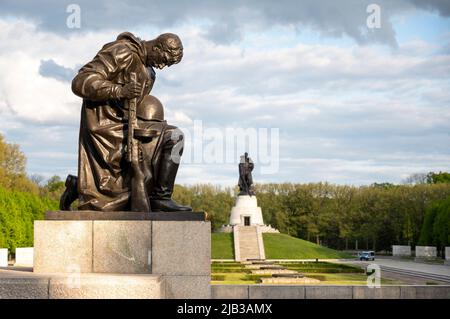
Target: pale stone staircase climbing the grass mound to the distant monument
{"points": [[248, 243]]}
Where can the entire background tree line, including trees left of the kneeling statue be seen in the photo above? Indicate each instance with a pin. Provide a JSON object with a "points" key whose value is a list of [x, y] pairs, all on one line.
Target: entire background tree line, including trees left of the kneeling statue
{"points": [[337, 216]]}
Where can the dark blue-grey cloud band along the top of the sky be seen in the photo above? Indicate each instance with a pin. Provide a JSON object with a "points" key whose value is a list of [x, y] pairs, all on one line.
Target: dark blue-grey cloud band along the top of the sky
{"points": [[226, 21]]}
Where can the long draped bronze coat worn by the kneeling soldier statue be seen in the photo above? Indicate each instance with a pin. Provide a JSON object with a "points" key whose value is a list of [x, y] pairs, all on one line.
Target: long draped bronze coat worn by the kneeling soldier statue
{"points": [[103, 182]]}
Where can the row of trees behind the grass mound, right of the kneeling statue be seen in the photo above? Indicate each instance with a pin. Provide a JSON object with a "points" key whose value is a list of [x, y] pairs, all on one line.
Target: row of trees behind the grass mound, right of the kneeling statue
{"points": [[343, 217]]}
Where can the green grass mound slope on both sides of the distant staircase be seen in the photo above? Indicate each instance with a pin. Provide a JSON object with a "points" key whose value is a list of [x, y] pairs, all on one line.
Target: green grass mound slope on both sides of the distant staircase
{"points": [[277, 246]]}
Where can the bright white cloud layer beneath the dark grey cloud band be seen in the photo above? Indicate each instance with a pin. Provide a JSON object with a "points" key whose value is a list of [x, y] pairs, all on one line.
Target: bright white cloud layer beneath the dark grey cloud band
{"points": [[346, 113]]}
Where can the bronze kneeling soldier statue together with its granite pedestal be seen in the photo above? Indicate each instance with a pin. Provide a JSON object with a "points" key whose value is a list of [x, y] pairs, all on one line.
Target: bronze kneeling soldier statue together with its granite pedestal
{"points": [[127, 237]]}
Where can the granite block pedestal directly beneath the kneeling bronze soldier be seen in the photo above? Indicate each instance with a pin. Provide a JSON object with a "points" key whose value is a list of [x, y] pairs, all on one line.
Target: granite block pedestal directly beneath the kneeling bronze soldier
{"points": [[173, 247]]}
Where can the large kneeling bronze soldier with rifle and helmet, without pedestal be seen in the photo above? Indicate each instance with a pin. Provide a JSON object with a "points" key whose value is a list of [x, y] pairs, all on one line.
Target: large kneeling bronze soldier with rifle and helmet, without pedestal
{"points": [[128, 154]]}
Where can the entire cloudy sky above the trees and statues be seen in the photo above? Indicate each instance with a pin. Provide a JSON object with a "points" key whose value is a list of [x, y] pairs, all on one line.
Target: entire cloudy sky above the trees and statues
{"points": [[328, 98]]}
